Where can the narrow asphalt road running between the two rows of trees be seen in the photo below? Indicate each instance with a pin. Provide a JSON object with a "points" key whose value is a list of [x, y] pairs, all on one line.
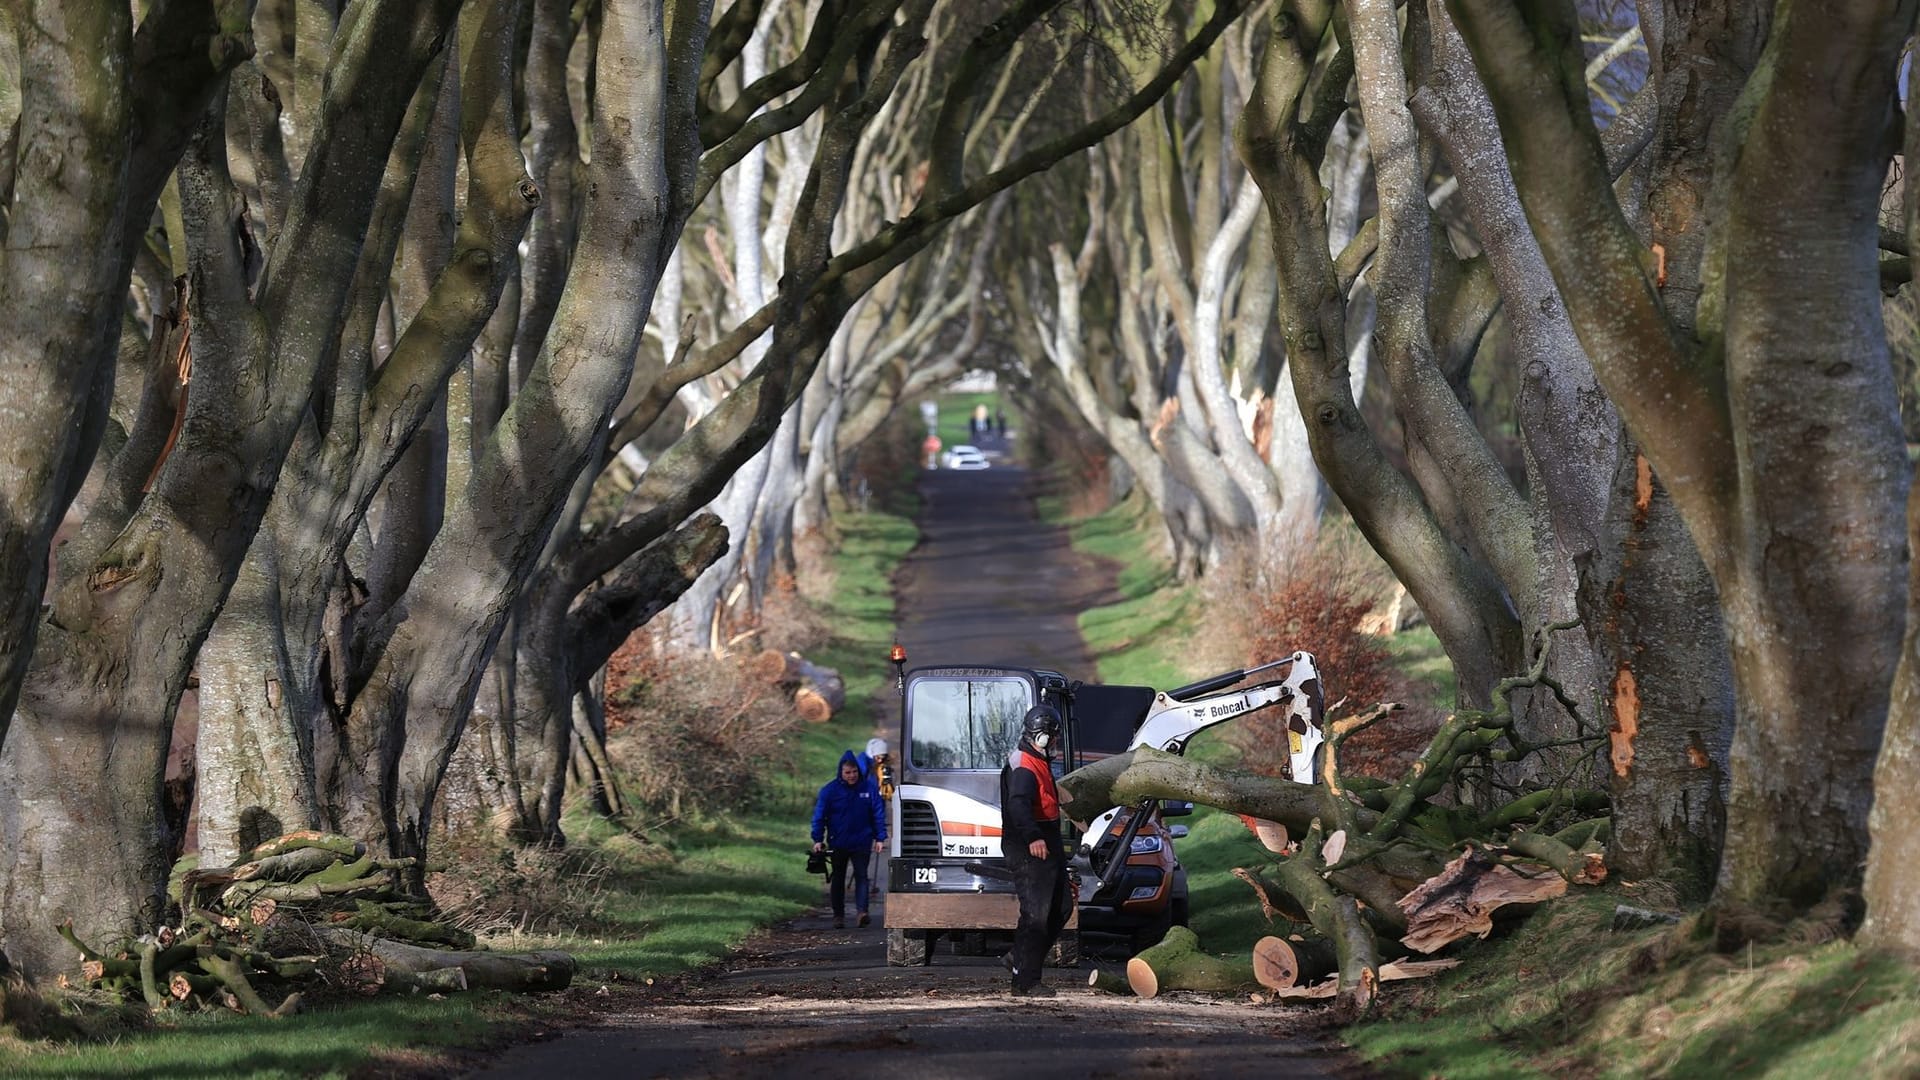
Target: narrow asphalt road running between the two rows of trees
{"points": [[988, 585]]}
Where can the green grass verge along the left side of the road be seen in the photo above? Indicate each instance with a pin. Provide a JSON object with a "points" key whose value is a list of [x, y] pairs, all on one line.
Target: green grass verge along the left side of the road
{"points": [[673, 908]]}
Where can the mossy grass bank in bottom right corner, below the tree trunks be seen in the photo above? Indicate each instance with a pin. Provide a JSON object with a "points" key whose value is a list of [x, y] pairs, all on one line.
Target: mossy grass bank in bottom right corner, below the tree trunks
{"points": [[1568, 996]]}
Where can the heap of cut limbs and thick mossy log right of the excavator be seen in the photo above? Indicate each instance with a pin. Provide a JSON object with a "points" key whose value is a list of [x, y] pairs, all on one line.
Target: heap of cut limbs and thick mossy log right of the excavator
{"points": [[1383, 868]]}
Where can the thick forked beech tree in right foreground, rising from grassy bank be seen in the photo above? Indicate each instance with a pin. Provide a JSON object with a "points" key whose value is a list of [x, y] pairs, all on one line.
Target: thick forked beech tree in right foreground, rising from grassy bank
{"points": [[1769, 414]]}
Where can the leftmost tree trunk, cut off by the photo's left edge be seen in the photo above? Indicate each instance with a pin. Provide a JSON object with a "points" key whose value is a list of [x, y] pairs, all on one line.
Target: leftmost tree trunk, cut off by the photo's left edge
{"points": [[66, 278]]}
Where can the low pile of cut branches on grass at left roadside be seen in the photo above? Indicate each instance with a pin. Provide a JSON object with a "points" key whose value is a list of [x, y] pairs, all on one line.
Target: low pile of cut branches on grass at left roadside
{"points": [[304, 912]]}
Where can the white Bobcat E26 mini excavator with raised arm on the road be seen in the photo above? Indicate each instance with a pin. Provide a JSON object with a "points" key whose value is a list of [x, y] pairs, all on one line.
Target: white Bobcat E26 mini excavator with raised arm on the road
{"points": [[959, 725]]}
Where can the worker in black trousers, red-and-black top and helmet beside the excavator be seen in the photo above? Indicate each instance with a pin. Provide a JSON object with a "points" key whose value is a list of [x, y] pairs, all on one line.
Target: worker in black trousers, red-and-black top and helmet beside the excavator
{"points": [[1030, 841]]}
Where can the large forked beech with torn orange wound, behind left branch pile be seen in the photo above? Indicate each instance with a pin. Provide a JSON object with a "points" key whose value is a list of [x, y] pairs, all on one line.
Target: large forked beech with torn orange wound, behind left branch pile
{"points": [[143, 581]]}
